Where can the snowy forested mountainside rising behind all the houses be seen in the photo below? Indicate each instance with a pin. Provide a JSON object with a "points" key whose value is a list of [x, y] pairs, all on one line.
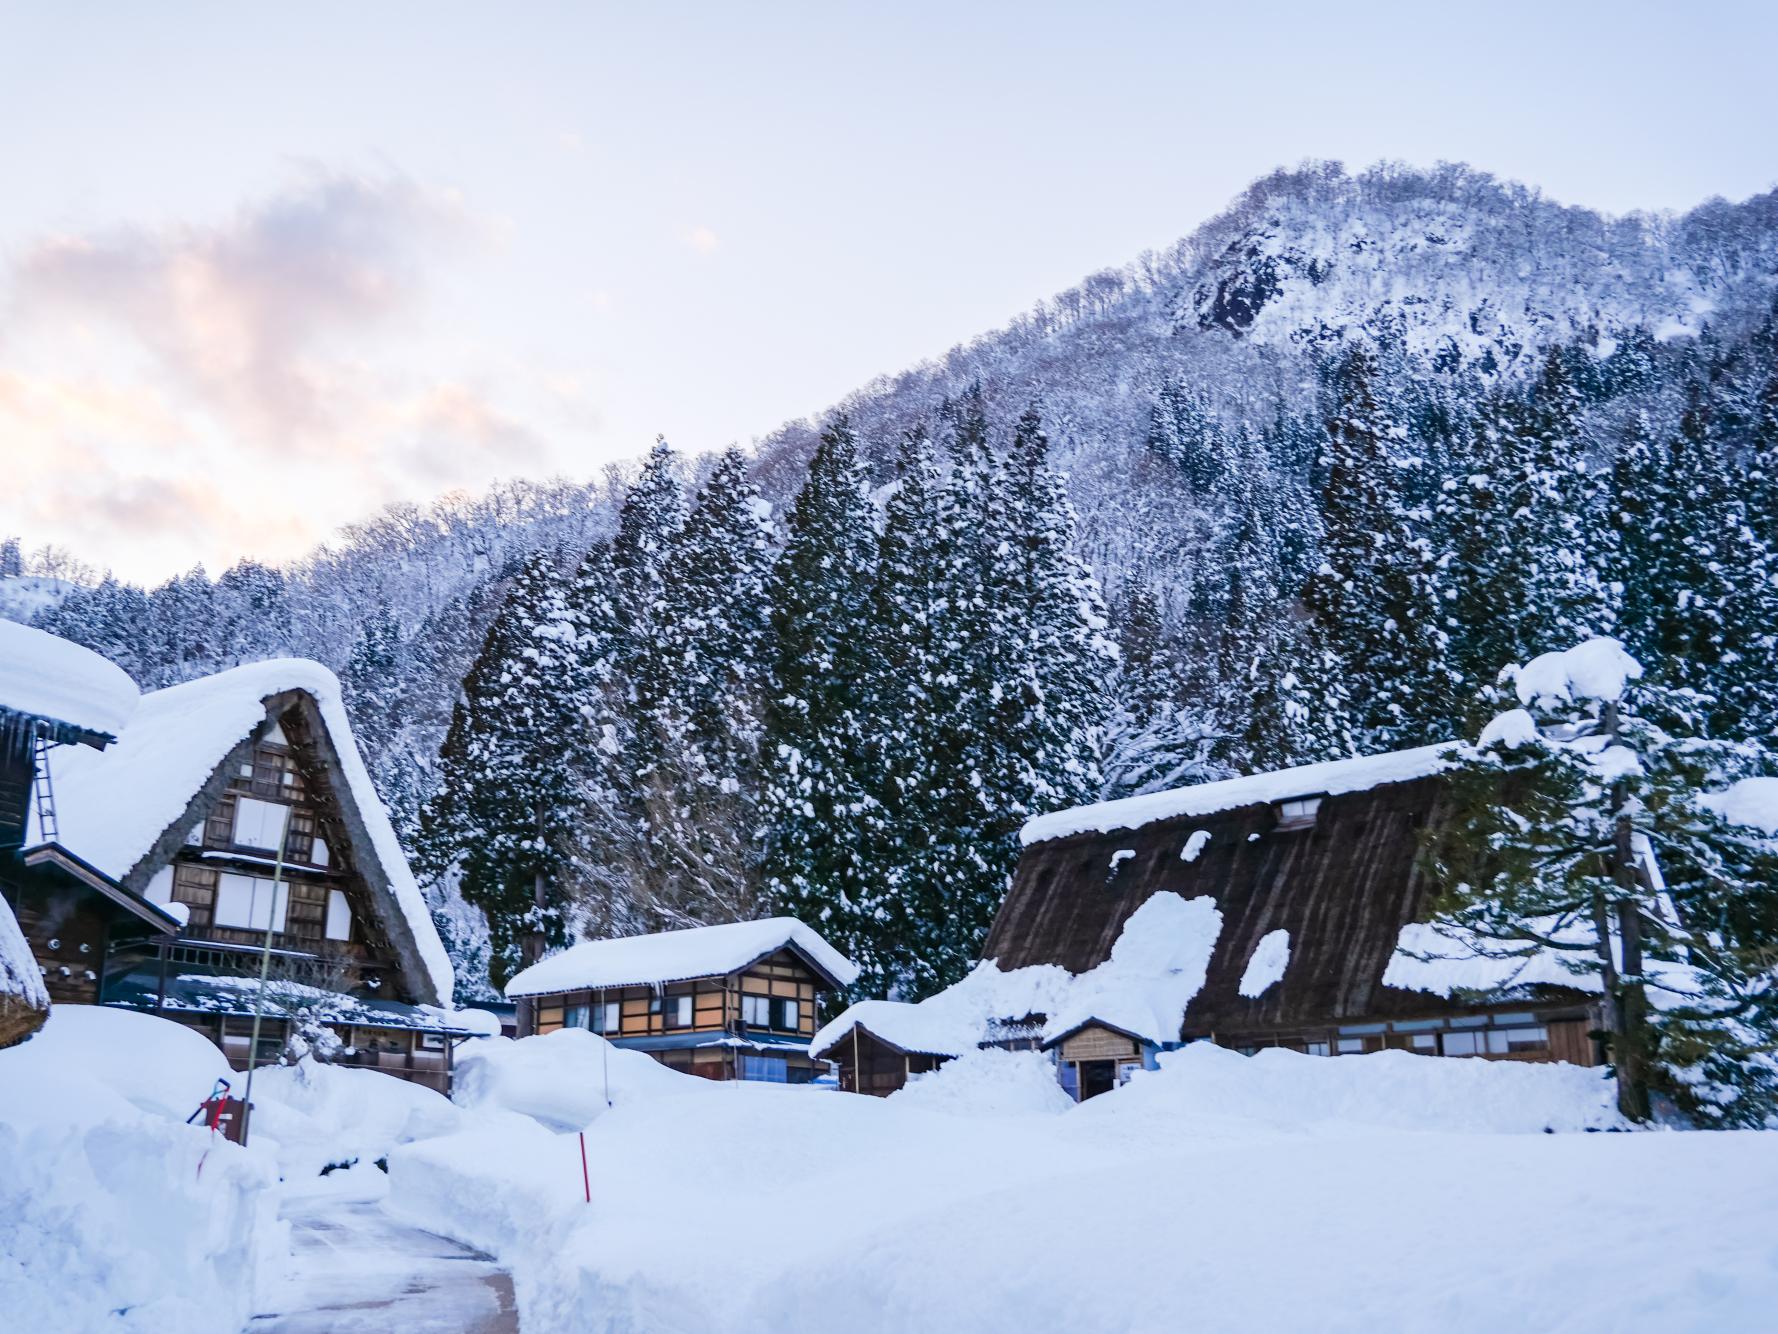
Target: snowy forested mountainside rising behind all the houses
{"points": [[1295, 488]]}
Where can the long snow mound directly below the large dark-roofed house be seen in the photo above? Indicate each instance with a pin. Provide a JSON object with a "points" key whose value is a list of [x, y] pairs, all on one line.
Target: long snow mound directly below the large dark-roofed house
{"points": [[1212, 1089]]}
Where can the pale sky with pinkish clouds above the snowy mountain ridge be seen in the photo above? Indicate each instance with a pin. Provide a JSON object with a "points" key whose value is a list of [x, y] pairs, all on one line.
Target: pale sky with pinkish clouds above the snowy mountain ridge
{"points": [[266, 269]]}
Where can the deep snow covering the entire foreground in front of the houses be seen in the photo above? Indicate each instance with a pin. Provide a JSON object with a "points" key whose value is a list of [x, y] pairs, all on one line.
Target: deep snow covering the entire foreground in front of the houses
{"points": [[1384, 1193]]}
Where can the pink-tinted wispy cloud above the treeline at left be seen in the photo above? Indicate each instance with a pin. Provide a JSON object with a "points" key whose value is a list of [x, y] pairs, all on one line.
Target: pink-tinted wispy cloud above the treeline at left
{"points": [[248, 385]]}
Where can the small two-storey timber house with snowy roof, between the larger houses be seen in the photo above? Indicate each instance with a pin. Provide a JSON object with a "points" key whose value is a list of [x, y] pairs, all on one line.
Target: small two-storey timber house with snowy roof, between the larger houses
{"points": [[728, 1002]]}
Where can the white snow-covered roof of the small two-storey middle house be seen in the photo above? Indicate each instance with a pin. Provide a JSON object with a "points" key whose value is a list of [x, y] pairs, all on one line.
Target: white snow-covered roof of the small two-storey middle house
{"points": [[675, 956]]}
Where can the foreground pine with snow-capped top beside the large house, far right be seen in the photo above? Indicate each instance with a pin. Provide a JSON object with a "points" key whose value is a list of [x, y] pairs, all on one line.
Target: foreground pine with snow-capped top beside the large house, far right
{"points": [[1582, 824]]}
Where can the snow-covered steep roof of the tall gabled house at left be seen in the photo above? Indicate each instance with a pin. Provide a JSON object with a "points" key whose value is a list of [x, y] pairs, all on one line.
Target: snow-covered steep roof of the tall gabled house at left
{"points": [[125, 810]]}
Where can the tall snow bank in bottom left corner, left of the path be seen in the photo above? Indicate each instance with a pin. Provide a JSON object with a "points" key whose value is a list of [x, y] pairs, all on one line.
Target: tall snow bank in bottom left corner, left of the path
{"points": [[115, 1216]]}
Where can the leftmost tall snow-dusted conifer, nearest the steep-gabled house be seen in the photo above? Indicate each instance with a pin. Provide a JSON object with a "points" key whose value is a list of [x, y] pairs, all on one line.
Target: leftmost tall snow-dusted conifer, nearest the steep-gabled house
{"points": [[509, 789]]}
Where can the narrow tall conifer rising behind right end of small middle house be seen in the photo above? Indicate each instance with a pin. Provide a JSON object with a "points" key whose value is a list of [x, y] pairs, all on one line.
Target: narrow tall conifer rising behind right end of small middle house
{"points": [[813, 784]]}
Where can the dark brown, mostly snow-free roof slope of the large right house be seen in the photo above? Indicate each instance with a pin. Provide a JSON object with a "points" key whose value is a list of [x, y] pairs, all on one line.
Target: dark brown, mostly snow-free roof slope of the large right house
{"points": [[1343, 888]]}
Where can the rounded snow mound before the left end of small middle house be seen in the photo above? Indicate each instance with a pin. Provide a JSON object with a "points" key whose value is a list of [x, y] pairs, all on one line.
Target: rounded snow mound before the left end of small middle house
{"points": [[561, 1079]]}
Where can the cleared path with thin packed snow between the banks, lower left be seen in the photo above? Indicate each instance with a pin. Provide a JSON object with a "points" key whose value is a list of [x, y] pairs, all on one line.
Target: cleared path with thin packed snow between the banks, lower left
{"points": [[353, 1267]]}
